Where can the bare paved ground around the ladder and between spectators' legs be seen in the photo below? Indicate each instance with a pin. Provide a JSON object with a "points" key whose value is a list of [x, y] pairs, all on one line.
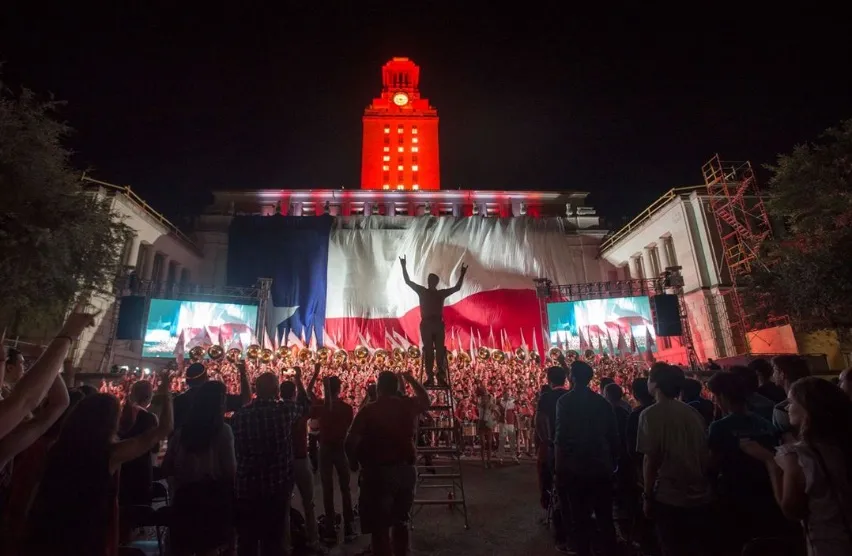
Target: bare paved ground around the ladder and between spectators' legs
{"points": [[502, 511]]}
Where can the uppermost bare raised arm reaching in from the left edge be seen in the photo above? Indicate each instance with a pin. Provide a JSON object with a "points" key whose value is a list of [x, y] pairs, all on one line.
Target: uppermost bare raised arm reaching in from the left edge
{"points": [[30, 390]]}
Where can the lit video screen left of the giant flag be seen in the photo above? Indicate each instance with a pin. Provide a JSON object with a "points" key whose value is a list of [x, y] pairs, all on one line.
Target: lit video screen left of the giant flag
{"points": [[168, 317]]}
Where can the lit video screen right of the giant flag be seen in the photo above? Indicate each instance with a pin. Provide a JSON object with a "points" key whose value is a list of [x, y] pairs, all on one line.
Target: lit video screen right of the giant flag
{"points": [[617, 325]]}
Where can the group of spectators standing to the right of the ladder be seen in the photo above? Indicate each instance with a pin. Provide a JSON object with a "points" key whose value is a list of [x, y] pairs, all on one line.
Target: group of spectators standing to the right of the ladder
{"points": [[764, 468]]}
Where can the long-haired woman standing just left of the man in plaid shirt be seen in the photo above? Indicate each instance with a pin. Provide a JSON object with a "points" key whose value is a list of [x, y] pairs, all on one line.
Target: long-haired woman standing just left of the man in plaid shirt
{"points": [[201, 465]]}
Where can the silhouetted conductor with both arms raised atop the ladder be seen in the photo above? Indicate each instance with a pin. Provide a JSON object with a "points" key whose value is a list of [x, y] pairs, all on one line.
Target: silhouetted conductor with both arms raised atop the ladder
{"points": [[432, 321]]}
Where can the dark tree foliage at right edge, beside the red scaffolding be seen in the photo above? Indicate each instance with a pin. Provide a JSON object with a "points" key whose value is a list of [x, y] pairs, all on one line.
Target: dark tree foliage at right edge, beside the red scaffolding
{"points": [[806, 271]]}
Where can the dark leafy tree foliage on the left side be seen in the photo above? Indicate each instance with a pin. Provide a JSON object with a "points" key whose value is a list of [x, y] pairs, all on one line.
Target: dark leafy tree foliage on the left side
{"points": [[56, 239]]}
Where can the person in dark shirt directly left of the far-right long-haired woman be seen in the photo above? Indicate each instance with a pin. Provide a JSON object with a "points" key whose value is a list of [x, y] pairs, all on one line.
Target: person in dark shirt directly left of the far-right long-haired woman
{"points": [[741, 481]]}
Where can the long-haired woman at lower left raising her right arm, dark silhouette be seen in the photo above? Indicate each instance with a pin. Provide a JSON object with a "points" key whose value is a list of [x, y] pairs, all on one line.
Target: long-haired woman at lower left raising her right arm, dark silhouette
{"points": [[76, 509]]}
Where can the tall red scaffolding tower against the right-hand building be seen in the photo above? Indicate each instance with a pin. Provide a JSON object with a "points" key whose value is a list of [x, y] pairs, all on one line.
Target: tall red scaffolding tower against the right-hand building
{"points": [[743, 225]]}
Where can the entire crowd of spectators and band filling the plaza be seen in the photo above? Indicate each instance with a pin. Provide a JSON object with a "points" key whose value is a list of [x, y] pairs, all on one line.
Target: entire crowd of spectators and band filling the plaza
{"points": [[755, 459]]}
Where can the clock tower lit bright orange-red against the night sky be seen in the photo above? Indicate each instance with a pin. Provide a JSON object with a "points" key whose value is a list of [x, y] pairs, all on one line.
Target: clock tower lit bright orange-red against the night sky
{"points": [[400, 144]]}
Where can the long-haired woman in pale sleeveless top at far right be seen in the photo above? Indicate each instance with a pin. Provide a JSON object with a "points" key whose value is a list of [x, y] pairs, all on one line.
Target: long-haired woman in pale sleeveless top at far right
{"points": [[812, 477]]}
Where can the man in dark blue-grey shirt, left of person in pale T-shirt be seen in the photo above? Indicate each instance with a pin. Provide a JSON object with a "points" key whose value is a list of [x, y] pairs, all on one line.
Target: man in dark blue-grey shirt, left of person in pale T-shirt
{"points": [[586, 448]]}
